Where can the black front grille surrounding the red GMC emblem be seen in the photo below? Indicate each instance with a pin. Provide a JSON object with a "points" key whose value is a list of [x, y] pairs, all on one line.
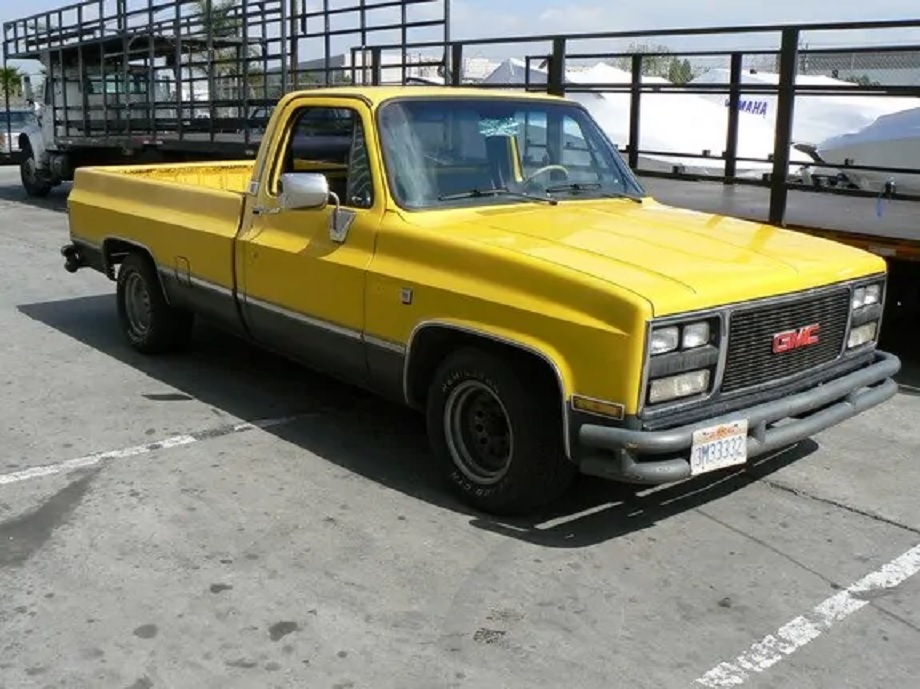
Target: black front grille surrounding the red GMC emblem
{"points": [[750, 358]]}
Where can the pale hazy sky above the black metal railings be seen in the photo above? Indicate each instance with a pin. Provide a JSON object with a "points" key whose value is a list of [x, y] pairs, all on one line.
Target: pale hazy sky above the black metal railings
{"points": [[482, 18]]}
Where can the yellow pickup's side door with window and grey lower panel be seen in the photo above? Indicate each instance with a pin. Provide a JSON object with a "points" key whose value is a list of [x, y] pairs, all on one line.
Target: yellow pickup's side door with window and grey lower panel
{"points": [[302, 283]]}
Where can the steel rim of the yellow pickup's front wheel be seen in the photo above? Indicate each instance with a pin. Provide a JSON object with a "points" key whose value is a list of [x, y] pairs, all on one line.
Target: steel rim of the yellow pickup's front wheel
{"points": [[478, 432]]}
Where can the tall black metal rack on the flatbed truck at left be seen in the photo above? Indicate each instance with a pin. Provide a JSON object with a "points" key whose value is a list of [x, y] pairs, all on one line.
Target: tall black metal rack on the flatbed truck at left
{"points": [[148, 71]]}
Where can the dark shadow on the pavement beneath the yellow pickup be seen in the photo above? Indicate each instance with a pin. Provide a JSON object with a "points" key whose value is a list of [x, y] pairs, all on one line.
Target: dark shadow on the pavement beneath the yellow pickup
{"points": [[378, 440]]}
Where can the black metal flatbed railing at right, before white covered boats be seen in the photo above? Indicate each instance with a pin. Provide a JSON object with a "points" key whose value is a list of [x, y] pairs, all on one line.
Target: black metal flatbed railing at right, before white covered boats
{"points": [[787, 56]]}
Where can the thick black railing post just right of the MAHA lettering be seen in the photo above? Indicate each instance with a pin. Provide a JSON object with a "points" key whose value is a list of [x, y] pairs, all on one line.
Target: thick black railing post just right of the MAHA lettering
{"points": [[785, 116]]}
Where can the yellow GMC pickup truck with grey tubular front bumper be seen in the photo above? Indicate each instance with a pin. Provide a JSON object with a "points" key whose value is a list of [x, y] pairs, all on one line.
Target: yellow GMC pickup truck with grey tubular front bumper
{"points": [[488, 258]]}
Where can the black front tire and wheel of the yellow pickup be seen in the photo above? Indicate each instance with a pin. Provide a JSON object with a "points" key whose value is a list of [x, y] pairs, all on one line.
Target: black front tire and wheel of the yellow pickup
{"points": [[534, 471]]}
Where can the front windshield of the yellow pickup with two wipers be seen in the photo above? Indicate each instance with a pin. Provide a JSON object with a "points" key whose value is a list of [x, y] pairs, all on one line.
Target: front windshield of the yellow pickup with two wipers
{"points": [[449, 152]]}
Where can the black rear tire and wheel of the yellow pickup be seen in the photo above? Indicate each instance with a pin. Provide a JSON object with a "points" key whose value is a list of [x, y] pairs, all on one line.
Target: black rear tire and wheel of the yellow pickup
{"points": [[150, 324]]}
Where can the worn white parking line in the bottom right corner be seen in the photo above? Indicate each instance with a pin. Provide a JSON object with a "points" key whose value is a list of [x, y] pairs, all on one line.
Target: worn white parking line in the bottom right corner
{"points": [[792, 636]]}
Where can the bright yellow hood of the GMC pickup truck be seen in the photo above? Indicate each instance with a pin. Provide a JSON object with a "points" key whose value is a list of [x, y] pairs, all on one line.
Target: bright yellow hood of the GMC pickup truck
{"points": [[677, 259]]}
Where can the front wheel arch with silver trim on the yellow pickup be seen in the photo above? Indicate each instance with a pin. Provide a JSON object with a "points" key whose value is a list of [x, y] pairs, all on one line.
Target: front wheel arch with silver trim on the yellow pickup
{"points": [[432, 341]]}
